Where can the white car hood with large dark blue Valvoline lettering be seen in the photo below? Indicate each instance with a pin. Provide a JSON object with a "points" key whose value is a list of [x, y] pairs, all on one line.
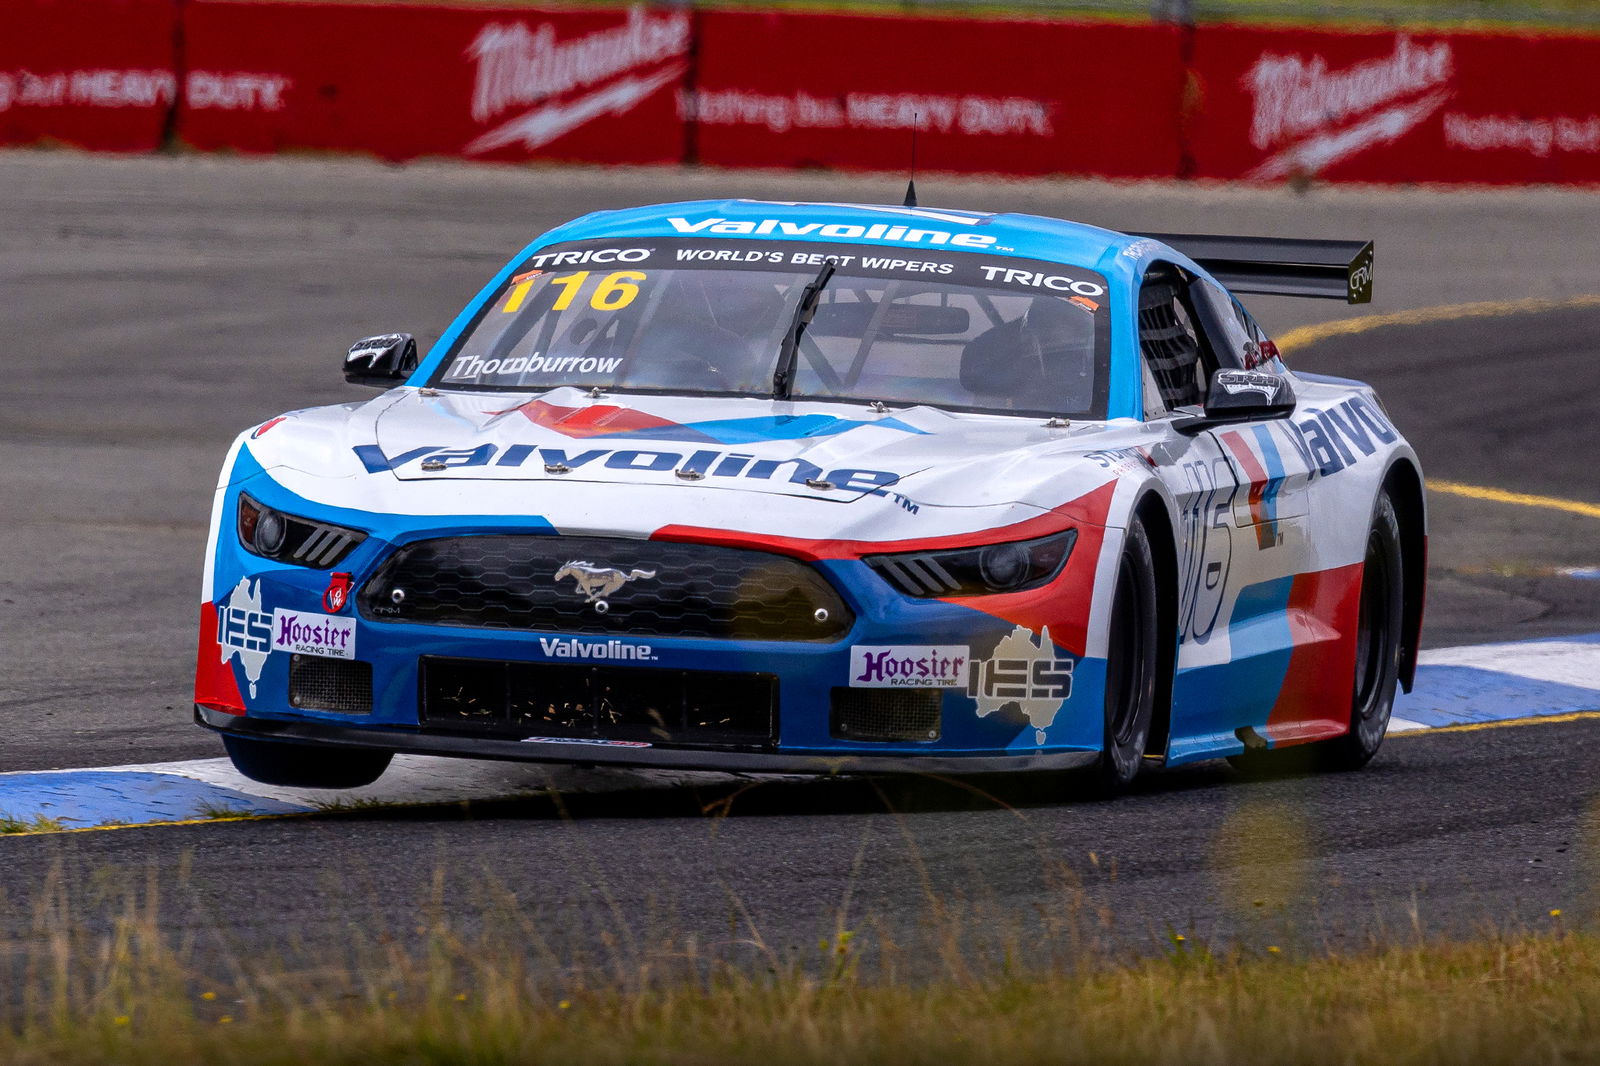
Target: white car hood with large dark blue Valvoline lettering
{"points": [[812, 452]]}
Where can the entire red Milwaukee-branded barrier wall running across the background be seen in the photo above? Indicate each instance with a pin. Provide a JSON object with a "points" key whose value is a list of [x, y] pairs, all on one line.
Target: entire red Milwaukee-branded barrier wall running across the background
{"points": [[793, 89]]}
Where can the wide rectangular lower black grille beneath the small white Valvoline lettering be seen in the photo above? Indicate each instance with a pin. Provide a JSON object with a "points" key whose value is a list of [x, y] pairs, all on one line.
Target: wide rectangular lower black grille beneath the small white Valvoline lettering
{"points": [[598, 702]]}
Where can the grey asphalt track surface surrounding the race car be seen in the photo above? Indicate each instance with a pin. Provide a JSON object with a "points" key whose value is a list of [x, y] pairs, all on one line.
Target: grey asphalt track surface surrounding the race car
{"points": [[153, 308]]}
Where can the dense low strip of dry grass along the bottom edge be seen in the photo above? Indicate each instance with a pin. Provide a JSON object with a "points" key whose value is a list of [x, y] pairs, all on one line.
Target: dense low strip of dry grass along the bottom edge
{"points": [[1522, 1000]]}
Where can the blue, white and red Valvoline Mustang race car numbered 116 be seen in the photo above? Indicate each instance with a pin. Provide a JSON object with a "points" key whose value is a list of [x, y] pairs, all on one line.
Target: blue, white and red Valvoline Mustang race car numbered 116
{"points": [[814, 487]]}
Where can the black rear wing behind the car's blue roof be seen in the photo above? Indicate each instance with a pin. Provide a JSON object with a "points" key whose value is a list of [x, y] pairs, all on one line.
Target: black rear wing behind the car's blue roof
{"points": [[1282, 266]]}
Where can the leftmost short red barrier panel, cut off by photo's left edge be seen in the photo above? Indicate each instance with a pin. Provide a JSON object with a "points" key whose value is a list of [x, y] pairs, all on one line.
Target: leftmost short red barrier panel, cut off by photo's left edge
{"points": [[98, 76]]}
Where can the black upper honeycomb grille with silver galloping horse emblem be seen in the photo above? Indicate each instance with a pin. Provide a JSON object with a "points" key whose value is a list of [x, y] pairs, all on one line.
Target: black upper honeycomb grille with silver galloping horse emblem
{"points": [[590, 585]]}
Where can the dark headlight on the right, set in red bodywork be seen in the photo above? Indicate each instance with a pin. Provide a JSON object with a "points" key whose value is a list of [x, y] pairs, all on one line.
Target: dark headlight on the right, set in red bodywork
{"points": [[1009, 567]]}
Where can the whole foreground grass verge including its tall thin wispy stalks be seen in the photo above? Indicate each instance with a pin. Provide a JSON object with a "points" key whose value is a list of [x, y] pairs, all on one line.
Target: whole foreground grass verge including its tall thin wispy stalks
{"points": [[975, 987]]}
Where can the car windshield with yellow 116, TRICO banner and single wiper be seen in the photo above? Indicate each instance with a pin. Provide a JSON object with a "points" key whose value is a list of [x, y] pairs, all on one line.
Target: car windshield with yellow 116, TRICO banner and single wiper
{"points": [[951, 329]]}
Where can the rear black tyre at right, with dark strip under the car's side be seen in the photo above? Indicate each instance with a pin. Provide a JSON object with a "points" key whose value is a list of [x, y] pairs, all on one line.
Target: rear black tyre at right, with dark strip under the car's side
{"points": [[1378, 627]]}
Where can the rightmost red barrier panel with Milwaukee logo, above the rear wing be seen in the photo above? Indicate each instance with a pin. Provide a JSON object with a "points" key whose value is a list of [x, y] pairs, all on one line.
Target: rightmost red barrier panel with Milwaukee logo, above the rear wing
{"points": [[1386, 106]]}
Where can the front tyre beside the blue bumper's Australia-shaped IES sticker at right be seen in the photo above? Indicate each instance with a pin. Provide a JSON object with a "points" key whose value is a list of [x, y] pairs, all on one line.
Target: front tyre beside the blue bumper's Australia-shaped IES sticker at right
{"points": [[1132, 662]]}
